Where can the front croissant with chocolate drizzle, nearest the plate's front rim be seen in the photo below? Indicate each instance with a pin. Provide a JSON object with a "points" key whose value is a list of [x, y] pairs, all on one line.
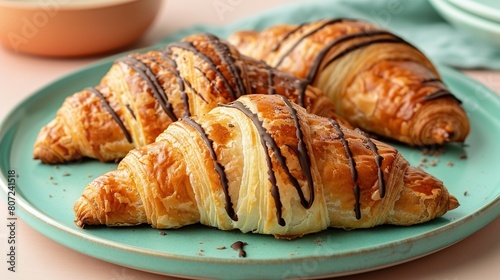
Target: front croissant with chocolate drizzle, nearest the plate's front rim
{"points": [[263, 164]]}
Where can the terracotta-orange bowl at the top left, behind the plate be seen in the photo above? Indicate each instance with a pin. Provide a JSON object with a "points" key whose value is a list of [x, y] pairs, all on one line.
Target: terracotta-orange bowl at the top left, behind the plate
{"points": [[69, 28]]}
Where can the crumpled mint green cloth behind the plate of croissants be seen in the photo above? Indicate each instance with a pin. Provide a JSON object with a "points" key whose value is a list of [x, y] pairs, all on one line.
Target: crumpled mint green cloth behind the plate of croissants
{"points": [[416, 21]]}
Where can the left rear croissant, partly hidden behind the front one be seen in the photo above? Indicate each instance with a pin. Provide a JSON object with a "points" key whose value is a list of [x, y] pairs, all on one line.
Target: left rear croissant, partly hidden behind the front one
{"points": [[144, 93]]}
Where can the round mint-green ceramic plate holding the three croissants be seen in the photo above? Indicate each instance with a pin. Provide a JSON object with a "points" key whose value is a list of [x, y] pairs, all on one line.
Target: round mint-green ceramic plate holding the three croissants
{"points": [[45, 195]]}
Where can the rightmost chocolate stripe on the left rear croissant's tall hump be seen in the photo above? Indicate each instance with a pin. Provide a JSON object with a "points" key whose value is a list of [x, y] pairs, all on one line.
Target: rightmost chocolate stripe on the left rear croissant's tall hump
{"points": [[228, 59]]}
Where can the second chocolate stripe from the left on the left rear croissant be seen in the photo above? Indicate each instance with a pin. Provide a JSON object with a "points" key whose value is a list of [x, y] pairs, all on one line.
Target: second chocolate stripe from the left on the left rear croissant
{"points": [[152, 81]]}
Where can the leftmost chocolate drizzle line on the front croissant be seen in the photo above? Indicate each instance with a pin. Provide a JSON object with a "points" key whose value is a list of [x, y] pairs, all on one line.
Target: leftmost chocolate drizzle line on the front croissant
{"points": [[217, 166]]}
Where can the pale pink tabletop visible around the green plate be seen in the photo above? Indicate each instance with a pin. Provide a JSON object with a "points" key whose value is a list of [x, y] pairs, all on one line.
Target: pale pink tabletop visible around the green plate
{"points": [[38, 257]]}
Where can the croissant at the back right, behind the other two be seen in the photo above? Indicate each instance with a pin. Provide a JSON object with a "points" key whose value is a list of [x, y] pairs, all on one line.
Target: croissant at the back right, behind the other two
{"points": [[378, 82]]}
